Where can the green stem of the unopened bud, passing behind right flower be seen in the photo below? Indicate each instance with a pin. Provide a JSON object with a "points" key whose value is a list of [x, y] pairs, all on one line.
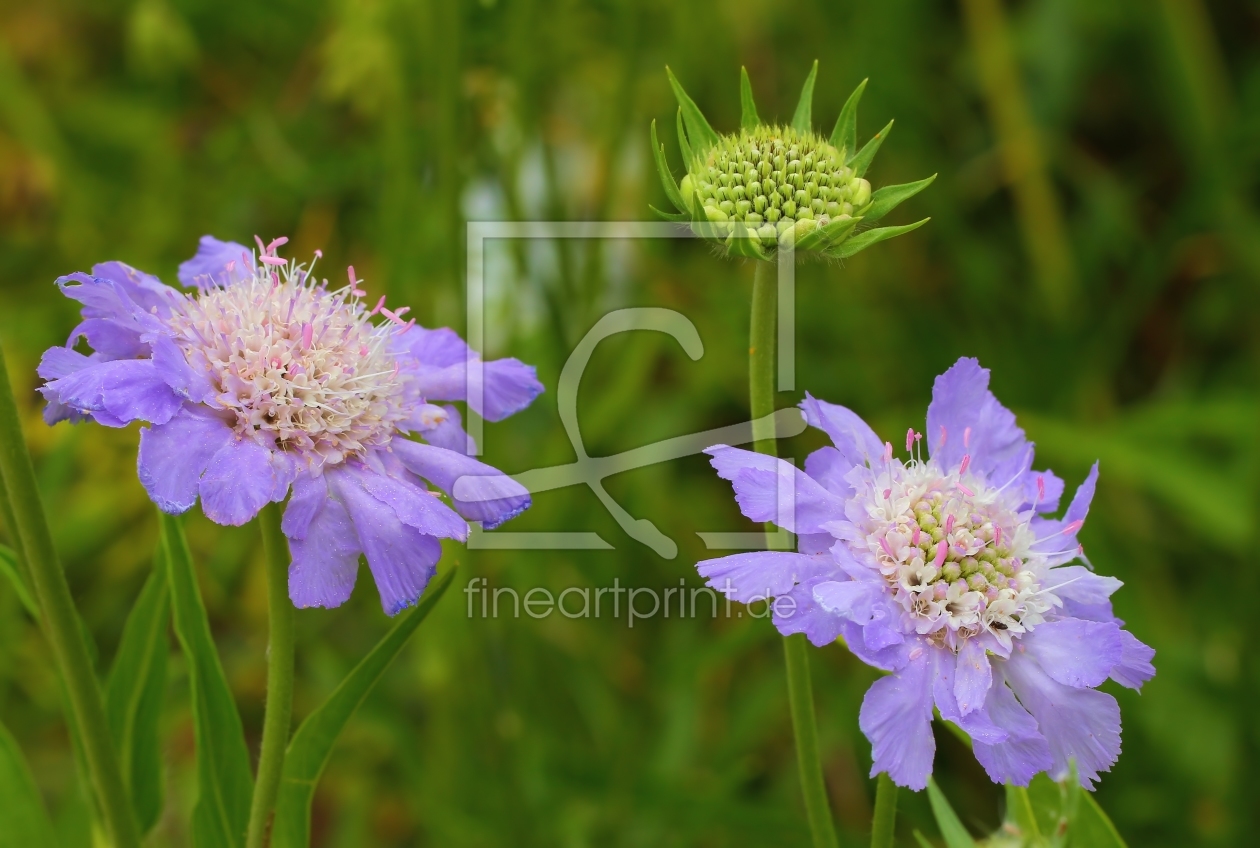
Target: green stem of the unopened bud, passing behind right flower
{"points": [[801, 692]]}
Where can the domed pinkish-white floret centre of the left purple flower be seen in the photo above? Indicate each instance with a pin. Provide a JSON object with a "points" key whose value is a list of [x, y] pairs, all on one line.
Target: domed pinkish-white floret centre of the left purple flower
{"points": [[299, 366]]}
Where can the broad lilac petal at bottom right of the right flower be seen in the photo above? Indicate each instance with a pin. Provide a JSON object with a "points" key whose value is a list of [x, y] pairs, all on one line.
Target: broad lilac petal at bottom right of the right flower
{"points": [[1078, 724]]}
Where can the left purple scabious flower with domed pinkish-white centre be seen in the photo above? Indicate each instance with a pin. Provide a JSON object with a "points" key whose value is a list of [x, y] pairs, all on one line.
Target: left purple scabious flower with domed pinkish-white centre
{"points": [[261, 381]]}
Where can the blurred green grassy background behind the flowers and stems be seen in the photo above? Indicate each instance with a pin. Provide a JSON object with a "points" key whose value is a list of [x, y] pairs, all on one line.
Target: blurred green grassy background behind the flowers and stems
{"points": [[1094, 240]]}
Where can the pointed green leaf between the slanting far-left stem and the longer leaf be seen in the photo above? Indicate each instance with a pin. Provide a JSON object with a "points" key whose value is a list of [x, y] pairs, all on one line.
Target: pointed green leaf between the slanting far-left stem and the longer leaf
{"points": [[135, 694]]}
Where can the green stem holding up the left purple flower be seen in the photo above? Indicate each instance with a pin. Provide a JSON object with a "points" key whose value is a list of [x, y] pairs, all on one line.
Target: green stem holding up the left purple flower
{"points": [[280, 679]]}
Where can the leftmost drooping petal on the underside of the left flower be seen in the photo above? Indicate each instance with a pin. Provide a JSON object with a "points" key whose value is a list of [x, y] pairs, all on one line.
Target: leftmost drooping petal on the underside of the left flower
{"points": [[175, 456]]}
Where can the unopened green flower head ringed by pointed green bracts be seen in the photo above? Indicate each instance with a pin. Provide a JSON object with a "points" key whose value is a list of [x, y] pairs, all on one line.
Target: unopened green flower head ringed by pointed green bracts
{"points": [[769, 187]]}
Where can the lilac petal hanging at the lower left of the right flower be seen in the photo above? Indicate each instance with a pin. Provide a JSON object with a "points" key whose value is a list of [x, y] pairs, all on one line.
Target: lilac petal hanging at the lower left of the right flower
{"points": [[898, 718]]}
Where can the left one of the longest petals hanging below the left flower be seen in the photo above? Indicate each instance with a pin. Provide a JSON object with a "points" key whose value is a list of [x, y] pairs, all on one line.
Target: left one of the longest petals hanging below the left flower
{"points": [[327, 554]]}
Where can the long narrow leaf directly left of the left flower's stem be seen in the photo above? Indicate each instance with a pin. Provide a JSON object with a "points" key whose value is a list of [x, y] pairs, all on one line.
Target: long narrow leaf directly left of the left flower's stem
{"points": [[225, 781]]}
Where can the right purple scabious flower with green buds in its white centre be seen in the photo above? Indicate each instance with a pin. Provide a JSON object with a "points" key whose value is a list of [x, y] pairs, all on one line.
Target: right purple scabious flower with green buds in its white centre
{"points": [[948, 571]]}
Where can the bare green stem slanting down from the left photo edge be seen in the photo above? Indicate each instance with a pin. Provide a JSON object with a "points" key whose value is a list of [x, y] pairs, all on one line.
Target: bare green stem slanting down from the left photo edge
{"points": [[61, 622]]}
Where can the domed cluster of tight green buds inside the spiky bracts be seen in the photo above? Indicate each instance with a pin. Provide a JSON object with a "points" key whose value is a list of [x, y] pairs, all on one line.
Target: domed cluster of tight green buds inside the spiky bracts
{"points": [[776, 181]]}
